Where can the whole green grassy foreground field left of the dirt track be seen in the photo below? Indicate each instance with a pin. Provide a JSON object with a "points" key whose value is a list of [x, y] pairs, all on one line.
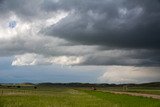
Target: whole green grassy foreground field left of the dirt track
{"points": [[69, 97]]}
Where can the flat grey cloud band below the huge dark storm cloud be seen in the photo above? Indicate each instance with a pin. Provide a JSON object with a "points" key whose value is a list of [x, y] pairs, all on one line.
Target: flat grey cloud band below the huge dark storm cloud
{"points": [[125, 58]]}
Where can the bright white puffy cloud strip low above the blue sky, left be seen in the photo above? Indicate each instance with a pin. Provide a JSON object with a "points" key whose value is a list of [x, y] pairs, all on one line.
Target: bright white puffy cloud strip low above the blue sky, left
{"points": [[35, 59]]}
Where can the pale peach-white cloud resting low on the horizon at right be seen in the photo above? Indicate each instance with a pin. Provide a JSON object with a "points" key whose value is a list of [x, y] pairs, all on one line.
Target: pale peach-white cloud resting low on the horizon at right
{"points": [[129, 74]]}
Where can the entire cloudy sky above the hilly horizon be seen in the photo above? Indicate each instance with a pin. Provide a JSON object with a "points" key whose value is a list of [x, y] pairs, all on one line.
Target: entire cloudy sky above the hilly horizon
{"points": [[96, 41]]}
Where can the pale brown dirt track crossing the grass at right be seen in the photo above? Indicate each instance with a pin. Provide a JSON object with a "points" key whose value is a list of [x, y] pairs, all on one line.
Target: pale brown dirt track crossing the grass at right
{"points": [[138, 94]]}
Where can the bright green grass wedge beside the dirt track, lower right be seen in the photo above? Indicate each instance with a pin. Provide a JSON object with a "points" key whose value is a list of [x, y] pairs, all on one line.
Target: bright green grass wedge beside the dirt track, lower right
{"points": [[125, 100]]}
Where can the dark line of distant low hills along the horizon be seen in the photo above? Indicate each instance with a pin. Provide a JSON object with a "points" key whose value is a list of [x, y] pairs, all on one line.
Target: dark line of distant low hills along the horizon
{"points": [[153, 84]]}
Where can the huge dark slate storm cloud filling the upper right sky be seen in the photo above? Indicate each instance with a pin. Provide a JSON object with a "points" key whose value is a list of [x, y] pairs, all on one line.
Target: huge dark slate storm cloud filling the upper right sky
{"points": [[120, 24]]}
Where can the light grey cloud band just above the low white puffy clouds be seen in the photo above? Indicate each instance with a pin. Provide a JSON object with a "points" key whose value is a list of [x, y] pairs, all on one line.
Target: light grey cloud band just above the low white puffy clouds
{"points": [[34, 44]]}
